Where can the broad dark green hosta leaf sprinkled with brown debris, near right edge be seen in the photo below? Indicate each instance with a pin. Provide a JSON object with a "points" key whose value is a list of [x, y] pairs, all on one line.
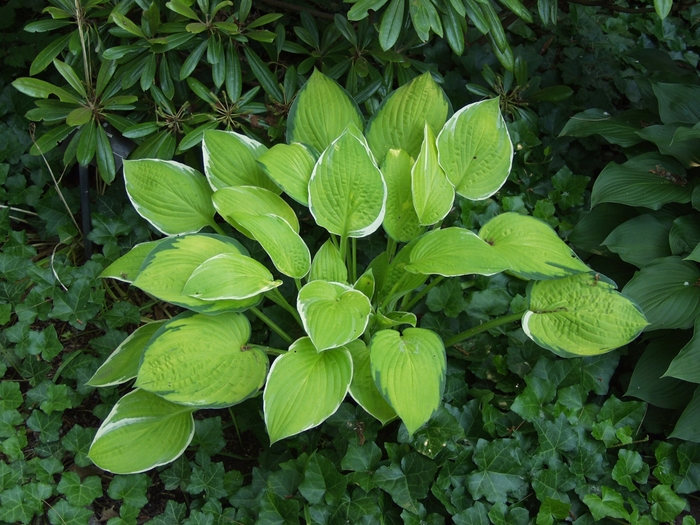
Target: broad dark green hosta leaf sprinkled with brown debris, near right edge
{"points": [[650, 180]]}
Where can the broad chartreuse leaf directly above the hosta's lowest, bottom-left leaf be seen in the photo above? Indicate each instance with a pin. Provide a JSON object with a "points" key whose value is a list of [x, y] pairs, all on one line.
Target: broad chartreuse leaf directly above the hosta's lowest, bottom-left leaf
{"points": [[203, 361]]}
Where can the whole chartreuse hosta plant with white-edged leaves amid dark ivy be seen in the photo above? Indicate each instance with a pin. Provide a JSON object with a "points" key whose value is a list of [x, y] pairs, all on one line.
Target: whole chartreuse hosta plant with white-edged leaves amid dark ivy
{"points": [[394, 177]]}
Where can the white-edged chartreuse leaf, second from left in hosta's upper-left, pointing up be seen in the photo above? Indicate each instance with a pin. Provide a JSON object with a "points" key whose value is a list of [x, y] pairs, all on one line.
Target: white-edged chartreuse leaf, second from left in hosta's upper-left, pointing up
{"points": [[230, 159]]}
